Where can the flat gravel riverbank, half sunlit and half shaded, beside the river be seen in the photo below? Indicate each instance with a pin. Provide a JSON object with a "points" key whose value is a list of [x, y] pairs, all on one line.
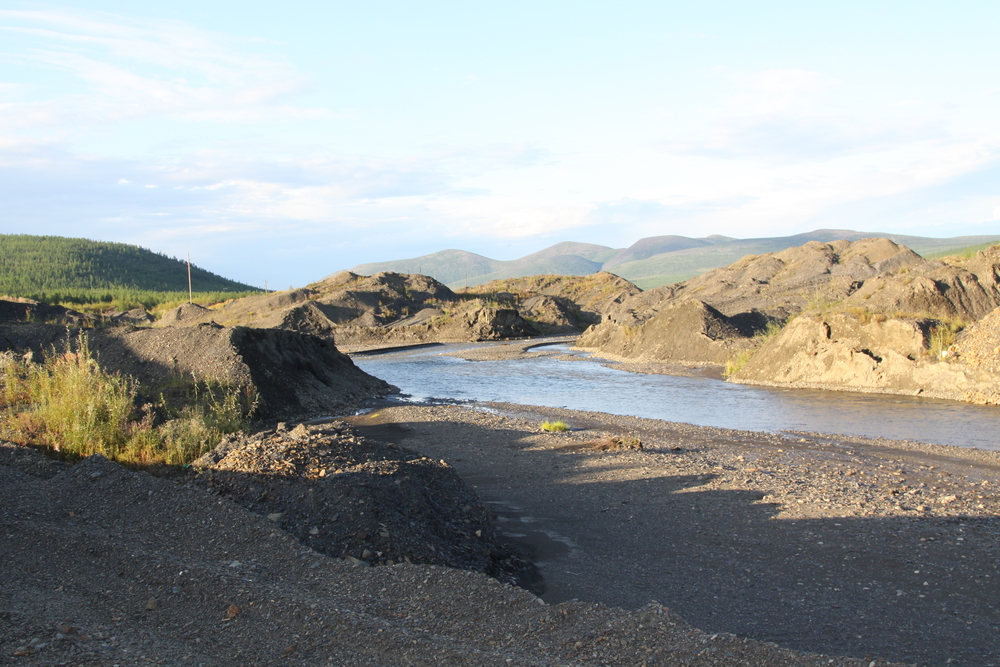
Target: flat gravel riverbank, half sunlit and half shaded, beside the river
{"points": [[840, 545]]}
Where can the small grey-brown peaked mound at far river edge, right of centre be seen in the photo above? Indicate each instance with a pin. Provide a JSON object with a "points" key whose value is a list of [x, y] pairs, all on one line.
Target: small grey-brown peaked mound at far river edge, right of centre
{"points": [[688, 331]]}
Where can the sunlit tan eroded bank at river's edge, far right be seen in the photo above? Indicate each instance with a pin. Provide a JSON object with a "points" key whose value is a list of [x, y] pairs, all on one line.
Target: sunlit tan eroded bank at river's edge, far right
{"points": [[878, 354]]}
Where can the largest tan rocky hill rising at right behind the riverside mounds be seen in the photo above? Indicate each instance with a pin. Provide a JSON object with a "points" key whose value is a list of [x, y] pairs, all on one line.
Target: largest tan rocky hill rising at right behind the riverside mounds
{"points": [[871, 276]]}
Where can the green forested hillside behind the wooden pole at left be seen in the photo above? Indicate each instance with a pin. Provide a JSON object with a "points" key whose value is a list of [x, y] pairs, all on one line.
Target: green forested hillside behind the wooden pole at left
{"points": [[56, 269]]}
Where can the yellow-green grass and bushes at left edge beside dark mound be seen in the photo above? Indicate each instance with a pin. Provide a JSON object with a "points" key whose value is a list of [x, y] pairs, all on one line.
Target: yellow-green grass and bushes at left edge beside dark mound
{"points": [[68, 404]]}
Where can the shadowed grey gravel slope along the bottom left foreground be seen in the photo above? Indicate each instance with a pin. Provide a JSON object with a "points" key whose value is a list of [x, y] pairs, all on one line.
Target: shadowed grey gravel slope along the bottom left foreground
{"points": [[105, 566]]}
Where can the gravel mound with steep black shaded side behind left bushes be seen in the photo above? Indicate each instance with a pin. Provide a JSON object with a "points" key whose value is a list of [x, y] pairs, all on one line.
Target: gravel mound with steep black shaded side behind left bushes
{"points": [[292, 374]]}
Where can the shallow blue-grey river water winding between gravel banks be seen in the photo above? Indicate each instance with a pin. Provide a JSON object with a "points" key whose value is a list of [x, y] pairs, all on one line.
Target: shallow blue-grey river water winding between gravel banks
{"points": [[428, 374]]}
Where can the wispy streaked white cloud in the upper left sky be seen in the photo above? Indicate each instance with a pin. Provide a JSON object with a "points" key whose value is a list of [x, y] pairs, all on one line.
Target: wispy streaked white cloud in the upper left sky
{"points": [[130, 68]]}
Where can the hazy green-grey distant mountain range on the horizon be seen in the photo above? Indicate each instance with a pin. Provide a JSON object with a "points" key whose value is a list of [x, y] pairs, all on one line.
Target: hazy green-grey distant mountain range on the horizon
{"points": [[649, 262]]}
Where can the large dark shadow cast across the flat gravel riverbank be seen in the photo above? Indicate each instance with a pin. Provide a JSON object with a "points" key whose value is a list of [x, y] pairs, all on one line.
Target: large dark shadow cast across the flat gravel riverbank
{"points": [[916, 589]]}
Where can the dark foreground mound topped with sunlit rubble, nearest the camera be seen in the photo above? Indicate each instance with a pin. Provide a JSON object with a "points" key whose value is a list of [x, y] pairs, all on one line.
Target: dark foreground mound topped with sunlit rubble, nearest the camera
{"points": [[350, 497]]}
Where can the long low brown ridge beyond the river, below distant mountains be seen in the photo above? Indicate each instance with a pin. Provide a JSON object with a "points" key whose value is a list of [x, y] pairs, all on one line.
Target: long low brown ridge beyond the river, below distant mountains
{"points": [[389, 309]]}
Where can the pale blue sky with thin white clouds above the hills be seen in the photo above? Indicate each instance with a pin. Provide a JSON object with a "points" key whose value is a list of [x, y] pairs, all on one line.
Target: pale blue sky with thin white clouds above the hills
{"points": [[282, 142]]}
